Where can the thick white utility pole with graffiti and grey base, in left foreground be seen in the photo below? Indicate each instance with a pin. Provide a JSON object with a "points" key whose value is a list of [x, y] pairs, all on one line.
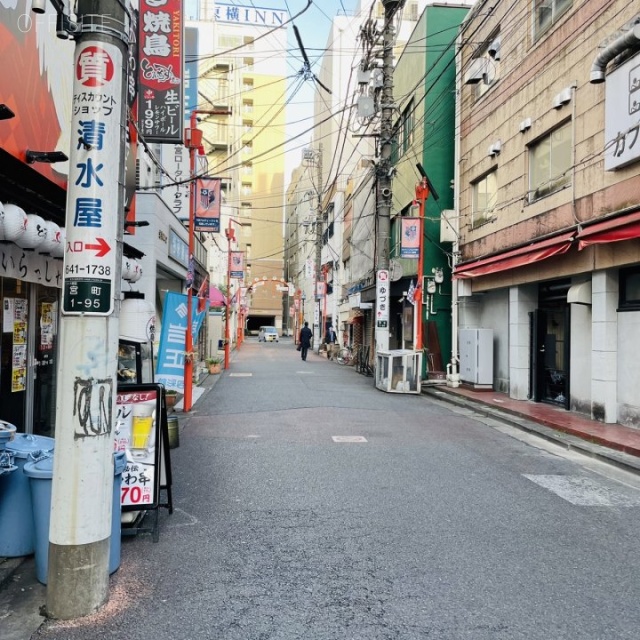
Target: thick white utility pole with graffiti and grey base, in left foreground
{"points": [[83, 471]]}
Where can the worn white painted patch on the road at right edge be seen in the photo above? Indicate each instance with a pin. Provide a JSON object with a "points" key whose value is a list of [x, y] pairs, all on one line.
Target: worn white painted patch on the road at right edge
{"points": [[585, 492]]}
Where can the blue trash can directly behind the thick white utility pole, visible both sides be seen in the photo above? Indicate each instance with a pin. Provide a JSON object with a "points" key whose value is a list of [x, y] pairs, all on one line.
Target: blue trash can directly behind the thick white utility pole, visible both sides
{"points": [[40, 475]]}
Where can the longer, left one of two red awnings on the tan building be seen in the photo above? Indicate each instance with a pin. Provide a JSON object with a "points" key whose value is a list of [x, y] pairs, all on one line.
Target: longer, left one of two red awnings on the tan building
{"points": [[516, 257]]}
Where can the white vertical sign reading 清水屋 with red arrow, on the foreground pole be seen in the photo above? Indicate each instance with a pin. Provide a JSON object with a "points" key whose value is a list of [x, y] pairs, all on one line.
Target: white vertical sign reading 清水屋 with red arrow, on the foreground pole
{"points": [[92, 205]]}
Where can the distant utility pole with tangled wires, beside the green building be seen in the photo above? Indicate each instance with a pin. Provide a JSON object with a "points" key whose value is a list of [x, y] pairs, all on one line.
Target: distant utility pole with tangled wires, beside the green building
{"points": [[384, 173]]}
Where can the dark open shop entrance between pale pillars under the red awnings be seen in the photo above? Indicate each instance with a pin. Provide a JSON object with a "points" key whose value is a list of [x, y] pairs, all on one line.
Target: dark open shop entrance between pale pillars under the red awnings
{"points": [[549, 366]]}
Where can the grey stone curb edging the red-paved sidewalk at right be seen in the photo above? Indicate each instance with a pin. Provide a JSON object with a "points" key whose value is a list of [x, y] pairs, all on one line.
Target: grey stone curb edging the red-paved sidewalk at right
{"points": [[619, 459]]}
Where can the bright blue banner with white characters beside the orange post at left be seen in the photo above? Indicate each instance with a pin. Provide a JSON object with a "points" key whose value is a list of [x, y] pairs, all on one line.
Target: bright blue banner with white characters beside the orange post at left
{"points": [[171, 352]]}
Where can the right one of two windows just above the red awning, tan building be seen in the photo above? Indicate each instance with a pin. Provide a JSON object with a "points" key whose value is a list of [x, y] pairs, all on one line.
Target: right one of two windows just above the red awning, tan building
{"points": [[550, 163]]}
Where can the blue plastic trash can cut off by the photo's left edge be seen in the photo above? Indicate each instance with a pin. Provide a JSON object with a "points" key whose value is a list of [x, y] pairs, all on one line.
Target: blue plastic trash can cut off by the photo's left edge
{"points": [[17, 537]]}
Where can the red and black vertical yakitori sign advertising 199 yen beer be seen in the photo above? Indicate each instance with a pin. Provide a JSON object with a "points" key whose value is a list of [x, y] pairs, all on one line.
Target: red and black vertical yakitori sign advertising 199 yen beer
{"points": [[160, 117]]}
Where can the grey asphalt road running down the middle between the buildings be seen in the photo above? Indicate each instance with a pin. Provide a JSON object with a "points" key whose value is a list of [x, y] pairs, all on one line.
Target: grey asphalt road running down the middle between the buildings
{"points": [[436, 526]]}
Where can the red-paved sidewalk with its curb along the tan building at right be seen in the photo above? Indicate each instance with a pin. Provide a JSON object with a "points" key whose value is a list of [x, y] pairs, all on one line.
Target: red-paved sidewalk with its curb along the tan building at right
{"points": [[613, 443]]}
